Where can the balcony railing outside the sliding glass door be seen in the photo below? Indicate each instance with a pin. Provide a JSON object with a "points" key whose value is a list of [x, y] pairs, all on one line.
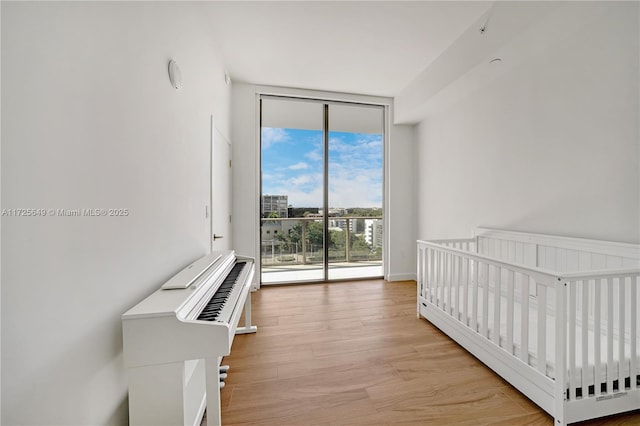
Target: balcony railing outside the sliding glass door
{"points": [[298, 241]]}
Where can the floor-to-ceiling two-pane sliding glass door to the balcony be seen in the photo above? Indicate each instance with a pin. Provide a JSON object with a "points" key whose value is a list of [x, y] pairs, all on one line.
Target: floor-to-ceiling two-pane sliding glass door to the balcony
{"points": [[321, 190]]}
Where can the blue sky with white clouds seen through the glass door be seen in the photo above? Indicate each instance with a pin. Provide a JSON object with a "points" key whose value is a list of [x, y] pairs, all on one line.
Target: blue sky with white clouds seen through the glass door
{"points": [[292, 165]]}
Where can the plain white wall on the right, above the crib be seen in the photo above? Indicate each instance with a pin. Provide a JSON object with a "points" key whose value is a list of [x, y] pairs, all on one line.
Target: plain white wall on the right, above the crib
{"points": [[550, 146]]}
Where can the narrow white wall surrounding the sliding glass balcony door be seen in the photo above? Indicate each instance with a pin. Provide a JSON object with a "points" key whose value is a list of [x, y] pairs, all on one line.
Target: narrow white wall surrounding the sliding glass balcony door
{"points": [[400, 261]]}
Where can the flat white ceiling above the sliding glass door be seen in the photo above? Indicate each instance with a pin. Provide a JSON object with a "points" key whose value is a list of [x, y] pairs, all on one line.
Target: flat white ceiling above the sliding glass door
{"points": [[373, 48]]}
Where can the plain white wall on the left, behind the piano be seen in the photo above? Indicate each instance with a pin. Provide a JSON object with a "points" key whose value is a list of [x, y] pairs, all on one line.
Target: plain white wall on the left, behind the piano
{"points": [[89, 120]]}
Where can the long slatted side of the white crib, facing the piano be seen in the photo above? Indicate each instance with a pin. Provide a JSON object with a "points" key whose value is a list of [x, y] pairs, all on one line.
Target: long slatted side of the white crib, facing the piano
{"points": [[461, 284]]}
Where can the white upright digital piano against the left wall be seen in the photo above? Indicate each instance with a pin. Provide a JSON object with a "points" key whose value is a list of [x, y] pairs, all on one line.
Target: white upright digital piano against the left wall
{"points": [[174, 340]]}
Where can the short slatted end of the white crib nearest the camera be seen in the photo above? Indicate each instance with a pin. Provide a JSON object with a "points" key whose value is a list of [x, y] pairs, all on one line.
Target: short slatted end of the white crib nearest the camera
{"points": [[601, 312]]}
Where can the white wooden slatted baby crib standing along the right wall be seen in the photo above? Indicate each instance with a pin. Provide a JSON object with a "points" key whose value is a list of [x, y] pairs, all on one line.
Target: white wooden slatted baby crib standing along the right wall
{"points": [[530, 306]]}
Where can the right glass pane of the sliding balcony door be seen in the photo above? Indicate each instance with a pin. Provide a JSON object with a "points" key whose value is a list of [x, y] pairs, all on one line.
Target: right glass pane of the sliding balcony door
{"points": [[355, 191]]}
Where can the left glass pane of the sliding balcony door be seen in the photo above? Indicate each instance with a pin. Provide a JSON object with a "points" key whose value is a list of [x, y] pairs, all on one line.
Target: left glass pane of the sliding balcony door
{"points": [[292, 191]]}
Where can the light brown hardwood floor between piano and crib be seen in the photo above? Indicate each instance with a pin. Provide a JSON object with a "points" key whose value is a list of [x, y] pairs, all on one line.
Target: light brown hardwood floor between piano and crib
{"points": [[354, 353]]}
